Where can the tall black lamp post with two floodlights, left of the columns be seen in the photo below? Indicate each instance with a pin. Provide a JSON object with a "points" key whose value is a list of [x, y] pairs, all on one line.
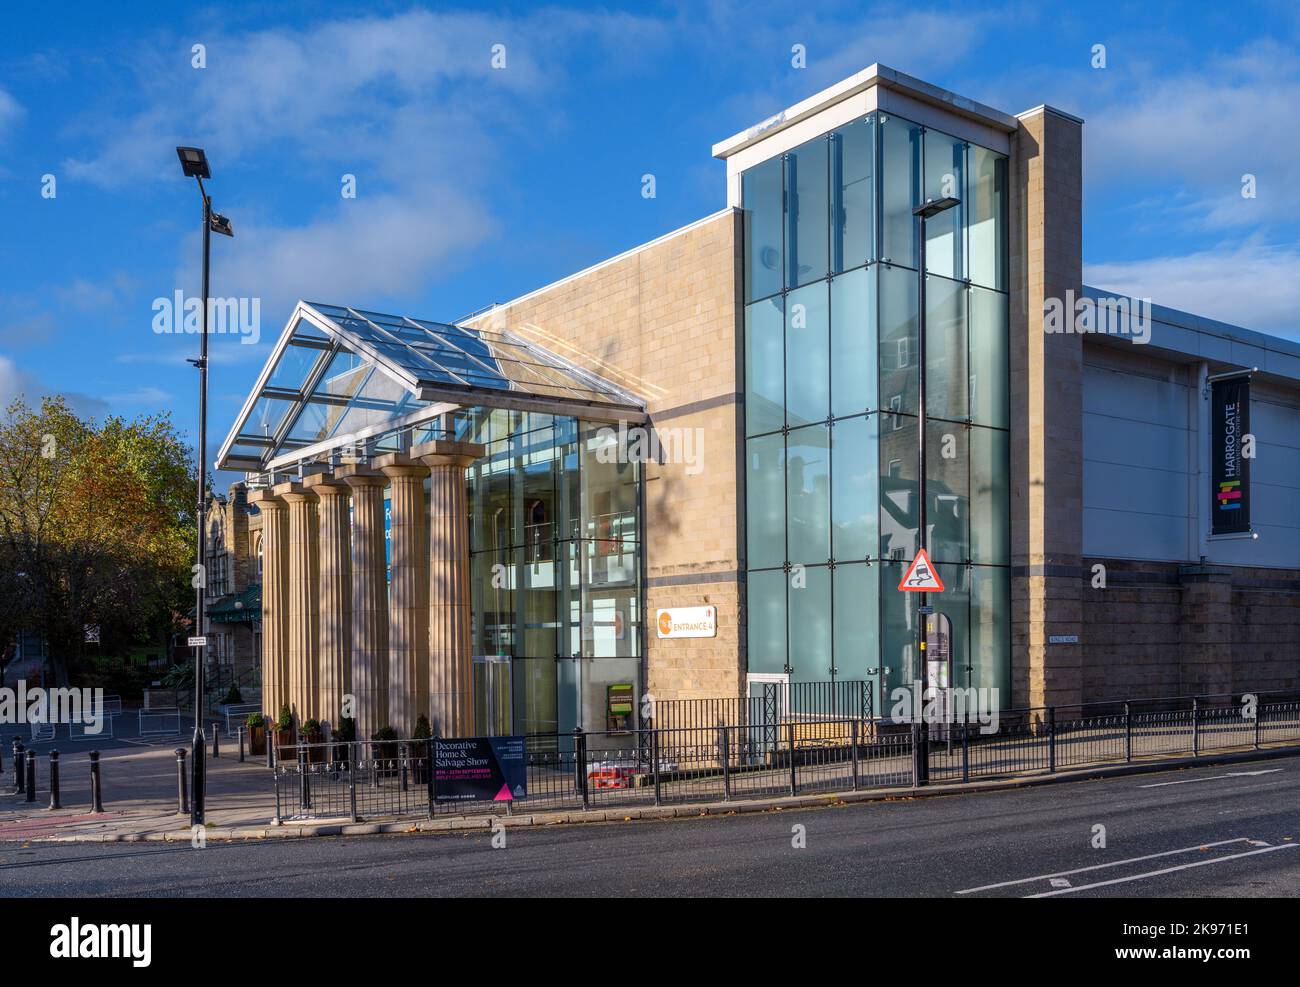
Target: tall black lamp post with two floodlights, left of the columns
{"points": [[194, 164]]}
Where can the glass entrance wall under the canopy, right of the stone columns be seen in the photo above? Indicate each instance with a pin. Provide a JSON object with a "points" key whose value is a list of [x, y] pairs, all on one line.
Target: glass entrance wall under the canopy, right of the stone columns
{"points": [[554, 559]]}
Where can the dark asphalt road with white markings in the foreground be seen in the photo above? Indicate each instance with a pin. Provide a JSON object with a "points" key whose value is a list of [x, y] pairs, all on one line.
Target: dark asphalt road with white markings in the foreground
{"points": [[1216, 832]]}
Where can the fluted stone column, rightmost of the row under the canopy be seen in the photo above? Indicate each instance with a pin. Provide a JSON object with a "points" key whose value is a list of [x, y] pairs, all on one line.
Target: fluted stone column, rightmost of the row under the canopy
{"points": [[452, 694]]}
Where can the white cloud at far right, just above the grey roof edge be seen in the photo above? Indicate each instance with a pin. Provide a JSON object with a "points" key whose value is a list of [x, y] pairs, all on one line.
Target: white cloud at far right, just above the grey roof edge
{"points": [[1251, 284]]}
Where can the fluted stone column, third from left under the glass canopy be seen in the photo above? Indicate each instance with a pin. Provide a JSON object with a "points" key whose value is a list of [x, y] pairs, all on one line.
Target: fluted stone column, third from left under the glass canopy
{"points": [[335, 604]]}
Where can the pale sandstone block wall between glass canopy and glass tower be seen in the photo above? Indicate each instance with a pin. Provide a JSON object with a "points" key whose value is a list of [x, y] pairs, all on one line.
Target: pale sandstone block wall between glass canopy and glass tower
{"points": [[662, 322]]}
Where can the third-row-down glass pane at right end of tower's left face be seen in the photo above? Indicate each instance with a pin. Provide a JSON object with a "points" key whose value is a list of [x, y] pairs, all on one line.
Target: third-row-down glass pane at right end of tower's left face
{"points": [[855, 496]]}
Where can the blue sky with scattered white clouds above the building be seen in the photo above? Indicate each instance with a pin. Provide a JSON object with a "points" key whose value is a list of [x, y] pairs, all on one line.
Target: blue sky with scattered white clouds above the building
{"points": [[478, 184]]}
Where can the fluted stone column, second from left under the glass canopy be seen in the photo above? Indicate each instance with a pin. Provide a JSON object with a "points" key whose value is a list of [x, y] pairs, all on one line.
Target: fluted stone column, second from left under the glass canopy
{"points": [[304, 601]]}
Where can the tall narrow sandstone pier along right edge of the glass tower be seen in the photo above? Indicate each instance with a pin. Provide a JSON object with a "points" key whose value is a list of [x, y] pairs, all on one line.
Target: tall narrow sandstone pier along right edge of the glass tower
{"points": [[1047, 410]]}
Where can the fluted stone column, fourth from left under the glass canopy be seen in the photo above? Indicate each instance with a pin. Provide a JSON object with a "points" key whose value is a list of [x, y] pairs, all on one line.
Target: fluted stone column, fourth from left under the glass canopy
{"points": [[370, 600]]}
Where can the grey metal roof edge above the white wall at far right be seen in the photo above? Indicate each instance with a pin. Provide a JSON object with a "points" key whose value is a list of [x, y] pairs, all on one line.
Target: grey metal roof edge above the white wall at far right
{"points": [[1195, 337]]}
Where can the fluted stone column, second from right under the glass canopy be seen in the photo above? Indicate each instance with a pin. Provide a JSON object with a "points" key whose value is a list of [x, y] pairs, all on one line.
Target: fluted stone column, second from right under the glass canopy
{"points": [[409, 592]]}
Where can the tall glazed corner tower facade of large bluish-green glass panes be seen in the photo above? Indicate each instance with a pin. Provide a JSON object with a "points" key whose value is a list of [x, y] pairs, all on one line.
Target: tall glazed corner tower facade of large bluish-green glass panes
{"points": [[831, 397]]}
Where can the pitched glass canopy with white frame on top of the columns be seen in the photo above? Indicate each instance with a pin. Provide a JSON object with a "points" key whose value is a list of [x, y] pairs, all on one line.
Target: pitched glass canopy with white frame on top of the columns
{"points": [[340, 374]]}
